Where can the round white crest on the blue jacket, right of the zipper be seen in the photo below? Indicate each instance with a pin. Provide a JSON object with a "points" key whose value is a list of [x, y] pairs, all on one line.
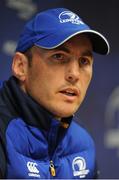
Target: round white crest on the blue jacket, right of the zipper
{"points": [[79, 167]]}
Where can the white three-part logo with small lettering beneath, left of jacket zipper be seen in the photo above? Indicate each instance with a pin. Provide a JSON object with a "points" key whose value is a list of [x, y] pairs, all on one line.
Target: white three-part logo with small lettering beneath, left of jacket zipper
{"points": [[33, 171]]}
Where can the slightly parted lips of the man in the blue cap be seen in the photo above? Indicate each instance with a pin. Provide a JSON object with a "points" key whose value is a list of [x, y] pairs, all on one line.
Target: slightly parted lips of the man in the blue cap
{"points": [[70, 91]]}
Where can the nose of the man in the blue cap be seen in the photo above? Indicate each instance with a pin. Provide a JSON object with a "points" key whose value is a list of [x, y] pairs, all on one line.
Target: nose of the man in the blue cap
{"points": [[73, 72]]}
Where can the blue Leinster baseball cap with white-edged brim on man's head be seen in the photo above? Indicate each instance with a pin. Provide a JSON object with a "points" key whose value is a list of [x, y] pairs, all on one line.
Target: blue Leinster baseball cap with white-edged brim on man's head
{"points": [[51, 28]]}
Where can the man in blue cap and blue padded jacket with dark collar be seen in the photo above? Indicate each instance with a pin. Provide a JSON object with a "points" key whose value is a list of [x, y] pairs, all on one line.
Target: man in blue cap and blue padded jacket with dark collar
{"points": [[52, 69]]}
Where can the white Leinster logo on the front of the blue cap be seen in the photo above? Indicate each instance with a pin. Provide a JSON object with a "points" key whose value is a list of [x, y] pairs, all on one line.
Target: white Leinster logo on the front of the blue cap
{"points": [[68, 16]]}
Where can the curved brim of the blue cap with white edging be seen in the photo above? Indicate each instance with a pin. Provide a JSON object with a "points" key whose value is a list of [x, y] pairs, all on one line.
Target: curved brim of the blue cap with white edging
{"points": [[53, 40]]}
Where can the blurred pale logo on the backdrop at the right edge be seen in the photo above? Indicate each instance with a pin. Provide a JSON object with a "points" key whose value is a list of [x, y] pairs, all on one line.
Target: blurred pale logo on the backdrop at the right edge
{"points": [[112, 120]]}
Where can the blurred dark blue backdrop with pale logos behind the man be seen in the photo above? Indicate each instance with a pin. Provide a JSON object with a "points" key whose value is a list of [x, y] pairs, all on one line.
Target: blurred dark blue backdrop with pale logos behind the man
{"points": [[100, 111]]}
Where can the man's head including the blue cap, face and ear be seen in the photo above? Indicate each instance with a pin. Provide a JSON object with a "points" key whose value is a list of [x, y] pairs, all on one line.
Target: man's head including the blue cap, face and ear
{"points": [[60, 49]]}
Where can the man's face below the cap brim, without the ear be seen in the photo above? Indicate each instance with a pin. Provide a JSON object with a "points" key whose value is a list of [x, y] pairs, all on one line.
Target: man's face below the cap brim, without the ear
{"points": [[58, 79]]}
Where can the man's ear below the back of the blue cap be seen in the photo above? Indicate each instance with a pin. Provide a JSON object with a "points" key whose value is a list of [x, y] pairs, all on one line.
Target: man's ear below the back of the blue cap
{"points": [[20, 66]]}
